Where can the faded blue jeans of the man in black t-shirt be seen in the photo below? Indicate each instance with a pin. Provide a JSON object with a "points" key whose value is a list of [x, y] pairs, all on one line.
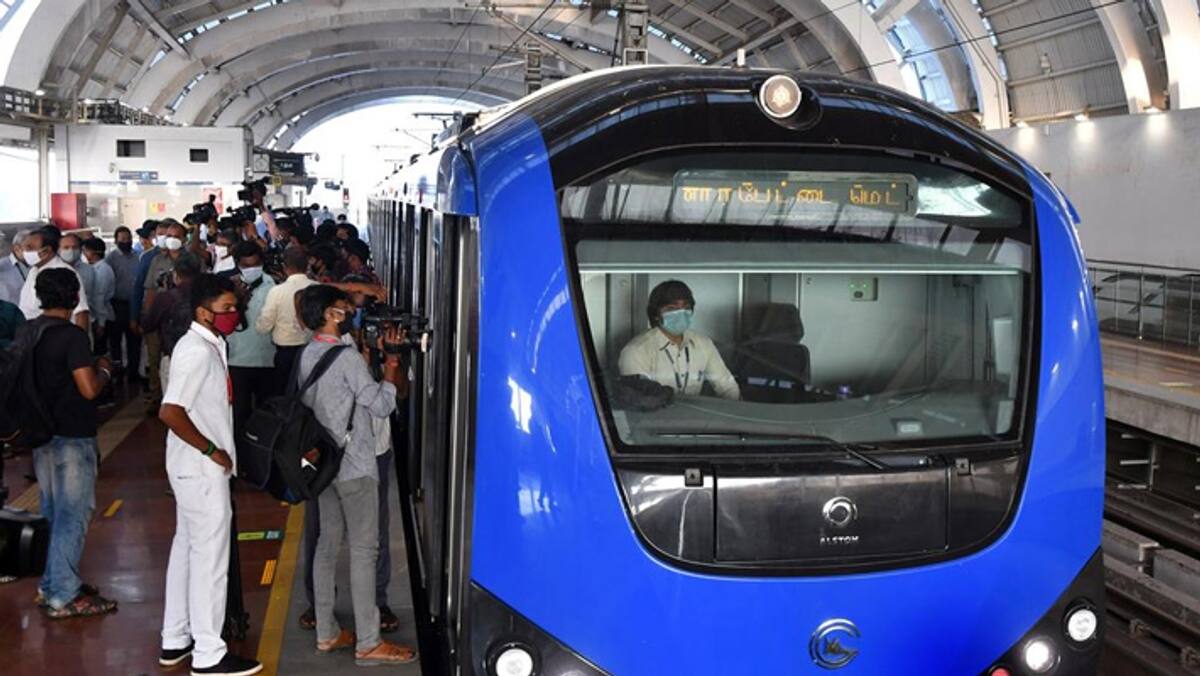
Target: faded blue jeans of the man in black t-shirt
{"points": [[67, 478]]}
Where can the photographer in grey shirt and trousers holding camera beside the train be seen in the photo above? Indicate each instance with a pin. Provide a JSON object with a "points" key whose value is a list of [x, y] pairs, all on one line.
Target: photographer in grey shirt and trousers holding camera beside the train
{"points": [[347, 402]]}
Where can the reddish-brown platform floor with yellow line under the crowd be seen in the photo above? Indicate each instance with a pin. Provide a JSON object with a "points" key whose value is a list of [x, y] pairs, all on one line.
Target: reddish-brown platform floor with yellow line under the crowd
{"points": [[127, 557]]}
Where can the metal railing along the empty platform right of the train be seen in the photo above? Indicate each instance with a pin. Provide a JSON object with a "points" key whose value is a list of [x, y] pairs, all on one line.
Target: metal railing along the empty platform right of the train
{"points": [[1154, 303]]}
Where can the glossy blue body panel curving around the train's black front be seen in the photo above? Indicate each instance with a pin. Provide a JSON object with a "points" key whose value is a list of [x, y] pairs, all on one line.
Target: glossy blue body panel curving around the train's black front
{"points": [[551, 539]]}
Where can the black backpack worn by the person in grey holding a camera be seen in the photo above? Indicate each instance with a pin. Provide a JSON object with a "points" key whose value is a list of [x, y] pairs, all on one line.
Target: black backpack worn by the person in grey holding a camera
{"points": [[281, 432]]}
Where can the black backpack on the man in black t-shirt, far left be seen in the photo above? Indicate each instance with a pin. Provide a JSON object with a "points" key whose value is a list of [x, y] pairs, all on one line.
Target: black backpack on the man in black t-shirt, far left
{"points": [[26, 421]]}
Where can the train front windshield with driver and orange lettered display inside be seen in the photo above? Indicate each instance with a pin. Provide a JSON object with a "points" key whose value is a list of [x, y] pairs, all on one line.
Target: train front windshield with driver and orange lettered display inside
{"points": [[802, 300]]}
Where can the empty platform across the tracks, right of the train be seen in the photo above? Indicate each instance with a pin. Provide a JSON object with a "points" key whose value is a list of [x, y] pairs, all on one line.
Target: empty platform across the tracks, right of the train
{"points": [[1153, 388]]}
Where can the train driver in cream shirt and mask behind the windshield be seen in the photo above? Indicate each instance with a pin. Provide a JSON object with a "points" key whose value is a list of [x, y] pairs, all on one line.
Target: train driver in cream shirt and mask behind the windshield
{"points": [[673, 355]]}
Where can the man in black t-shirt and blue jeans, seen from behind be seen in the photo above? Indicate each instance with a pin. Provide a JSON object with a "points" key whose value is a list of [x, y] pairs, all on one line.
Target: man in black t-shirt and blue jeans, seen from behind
{"points": [[68, 386]]}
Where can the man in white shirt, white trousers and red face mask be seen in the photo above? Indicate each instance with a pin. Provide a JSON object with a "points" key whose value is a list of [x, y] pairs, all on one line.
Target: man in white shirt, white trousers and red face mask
{"points": [[197, 409]]}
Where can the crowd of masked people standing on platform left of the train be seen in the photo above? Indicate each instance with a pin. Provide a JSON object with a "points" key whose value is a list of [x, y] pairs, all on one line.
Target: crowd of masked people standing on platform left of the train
{"points": [[224, 314]]}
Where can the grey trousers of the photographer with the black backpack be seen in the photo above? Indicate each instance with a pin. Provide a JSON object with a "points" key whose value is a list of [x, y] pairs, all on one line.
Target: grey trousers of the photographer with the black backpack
{"points": [[351, 510]]}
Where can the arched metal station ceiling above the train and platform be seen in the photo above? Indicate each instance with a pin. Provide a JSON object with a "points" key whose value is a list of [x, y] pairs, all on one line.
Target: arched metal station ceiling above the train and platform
{"points": [[281, 67]]}
